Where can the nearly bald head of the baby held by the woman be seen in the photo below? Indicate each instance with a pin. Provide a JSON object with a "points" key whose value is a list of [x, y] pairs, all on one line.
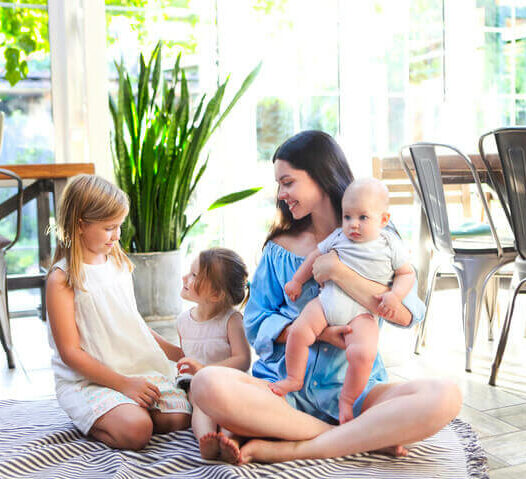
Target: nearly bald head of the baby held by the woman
{"points": [[364, 209]]}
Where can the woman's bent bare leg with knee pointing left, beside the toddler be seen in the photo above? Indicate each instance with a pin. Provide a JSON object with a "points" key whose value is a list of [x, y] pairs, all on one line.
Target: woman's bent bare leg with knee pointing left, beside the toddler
{"points": [[247, 407]]}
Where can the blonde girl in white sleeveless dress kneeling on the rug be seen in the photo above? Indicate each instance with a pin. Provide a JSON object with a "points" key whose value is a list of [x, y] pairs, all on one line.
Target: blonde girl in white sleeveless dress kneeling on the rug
{"points": [[112, 373]]}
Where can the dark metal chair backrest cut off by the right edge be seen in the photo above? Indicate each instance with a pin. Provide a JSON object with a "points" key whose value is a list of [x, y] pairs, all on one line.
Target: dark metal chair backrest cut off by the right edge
{"points": [[511, 185]]}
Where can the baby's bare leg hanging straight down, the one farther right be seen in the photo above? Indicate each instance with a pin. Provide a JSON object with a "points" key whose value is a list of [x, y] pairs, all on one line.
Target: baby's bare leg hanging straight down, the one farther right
{"points": [[361, 348]]}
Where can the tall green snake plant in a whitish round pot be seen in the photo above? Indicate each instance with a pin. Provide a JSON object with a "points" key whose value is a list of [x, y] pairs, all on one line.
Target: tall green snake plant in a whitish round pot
{"points": [[157, 143]]}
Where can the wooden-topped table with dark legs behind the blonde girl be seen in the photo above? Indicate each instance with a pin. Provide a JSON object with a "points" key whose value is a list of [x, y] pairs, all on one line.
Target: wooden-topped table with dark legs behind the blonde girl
{"points": [[41, 179]]}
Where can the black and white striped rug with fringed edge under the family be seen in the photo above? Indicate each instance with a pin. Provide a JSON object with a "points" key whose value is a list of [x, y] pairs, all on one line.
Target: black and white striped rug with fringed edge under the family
{"points": [[37, 440]]}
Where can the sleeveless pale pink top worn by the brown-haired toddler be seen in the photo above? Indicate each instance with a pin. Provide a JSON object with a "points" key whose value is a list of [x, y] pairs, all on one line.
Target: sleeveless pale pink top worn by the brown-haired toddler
{"points": [[205, 341]]}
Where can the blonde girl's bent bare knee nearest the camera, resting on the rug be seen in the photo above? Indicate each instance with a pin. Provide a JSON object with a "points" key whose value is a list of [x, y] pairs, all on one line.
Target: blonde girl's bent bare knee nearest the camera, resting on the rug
{"points": [[124, 427]]}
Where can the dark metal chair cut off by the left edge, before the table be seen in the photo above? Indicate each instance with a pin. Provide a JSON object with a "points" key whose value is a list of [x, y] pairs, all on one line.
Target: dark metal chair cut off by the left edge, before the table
{"points": [[5, 244]]}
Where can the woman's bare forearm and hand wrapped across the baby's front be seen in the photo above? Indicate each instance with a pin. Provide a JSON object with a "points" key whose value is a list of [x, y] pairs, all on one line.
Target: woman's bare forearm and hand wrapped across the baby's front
{"points": [[364, 291]]}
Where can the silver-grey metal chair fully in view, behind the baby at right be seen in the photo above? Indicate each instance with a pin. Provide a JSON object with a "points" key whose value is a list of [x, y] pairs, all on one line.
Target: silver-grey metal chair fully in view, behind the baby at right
{"points": [[474, 259]]}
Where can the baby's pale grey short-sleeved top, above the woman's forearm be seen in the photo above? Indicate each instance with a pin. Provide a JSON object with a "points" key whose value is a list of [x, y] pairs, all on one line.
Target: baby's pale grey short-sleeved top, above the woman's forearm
{"points": [[375, 260]]}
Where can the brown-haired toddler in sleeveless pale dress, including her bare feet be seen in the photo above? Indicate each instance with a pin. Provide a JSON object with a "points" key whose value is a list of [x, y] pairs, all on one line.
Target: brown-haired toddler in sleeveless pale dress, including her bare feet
{"points": [[212, 334]]}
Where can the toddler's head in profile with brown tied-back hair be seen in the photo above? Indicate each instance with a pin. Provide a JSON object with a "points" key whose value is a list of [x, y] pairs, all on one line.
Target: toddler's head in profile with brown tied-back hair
{"points": [[217, 275]]}
